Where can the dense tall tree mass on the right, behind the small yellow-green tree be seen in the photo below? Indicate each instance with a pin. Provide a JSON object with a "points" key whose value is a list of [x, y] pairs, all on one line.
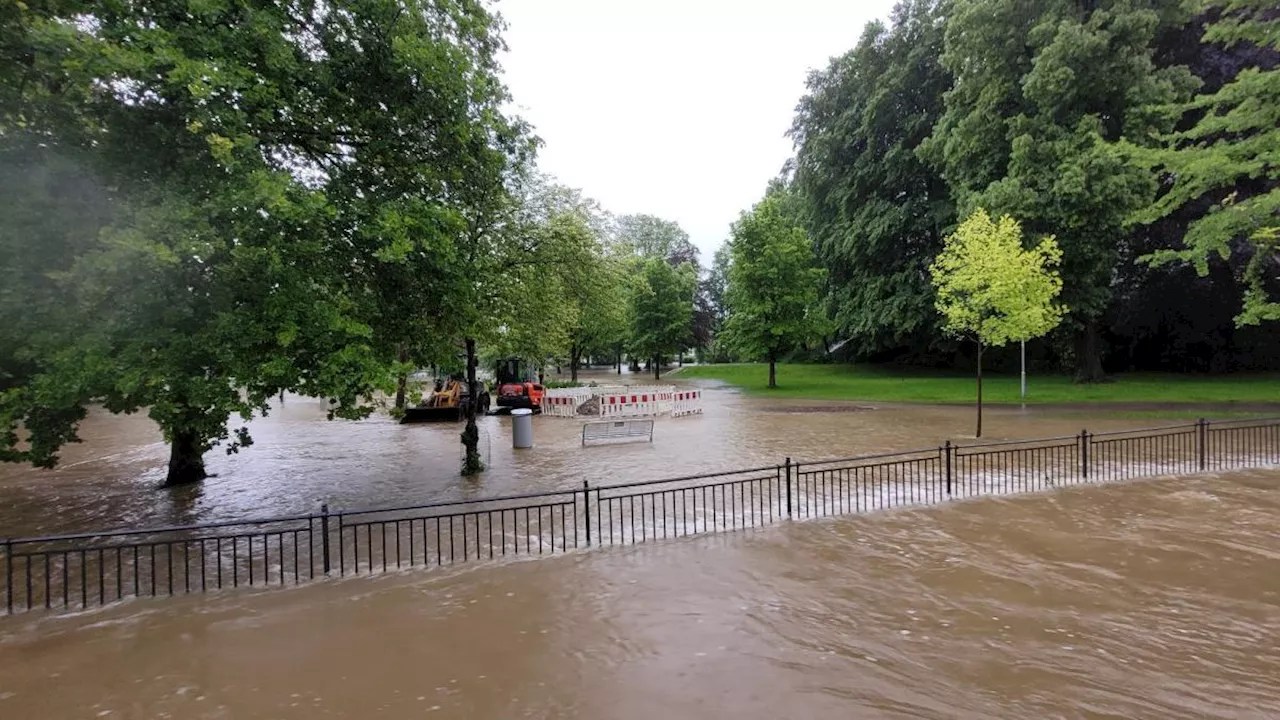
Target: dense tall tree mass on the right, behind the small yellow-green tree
{"points": [[1142, 135]]}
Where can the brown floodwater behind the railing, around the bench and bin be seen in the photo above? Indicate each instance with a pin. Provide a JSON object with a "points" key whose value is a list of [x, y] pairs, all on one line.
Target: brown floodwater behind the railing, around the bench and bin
{"points": [[300, 459]]}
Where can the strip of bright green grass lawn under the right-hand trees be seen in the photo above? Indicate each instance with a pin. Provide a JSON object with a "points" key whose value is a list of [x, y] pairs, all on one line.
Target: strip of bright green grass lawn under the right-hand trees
{"points": [[899, 385]]}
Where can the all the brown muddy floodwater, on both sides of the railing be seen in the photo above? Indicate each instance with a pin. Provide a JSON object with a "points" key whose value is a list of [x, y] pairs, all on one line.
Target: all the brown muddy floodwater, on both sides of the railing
{"points": [[1141, 600]]}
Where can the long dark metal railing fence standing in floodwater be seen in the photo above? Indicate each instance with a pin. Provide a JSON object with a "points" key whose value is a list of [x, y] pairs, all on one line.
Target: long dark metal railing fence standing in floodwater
{"points": [[76, 572]]}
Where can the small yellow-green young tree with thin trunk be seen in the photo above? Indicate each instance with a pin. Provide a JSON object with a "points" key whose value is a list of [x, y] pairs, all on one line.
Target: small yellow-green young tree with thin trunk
{"points": [[994, 291]]}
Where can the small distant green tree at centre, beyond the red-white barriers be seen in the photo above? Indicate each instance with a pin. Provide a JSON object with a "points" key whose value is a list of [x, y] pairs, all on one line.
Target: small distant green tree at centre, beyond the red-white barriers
{"points": [[661, 307]]}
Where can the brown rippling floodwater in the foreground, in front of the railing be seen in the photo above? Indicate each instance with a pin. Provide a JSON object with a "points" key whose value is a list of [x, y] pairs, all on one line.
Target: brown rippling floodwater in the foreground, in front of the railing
{"points": [[1145, 600]]}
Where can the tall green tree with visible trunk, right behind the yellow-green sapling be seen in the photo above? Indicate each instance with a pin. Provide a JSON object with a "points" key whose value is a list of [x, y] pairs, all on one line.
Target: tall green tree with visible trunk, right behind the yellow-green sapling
{"points": [[1043, 94]]}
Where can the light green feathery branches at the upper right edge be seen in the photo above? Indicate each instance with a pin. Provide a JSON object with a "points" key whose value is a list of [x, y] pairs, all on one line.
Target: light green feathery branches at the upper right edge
{"points": [[1232, 148]]}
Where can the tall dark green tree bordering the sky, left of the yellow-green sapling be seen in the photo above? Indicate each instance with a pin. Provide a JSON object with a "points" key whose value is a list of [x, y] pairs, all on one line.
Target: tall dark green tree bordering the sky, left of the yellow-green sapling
{"points": [[877, 212]]}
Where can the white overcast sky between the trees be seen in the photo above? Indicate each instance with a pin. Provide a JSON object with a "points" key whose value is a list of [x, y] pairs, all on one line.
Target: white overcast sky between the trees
{"points": [[671, 108]]}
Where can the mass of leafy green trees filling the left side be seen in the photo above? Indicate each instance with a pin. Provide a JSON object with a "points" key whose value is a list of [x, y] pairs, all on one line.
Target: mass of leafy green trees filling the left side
{"points": [[207, 206]]}
